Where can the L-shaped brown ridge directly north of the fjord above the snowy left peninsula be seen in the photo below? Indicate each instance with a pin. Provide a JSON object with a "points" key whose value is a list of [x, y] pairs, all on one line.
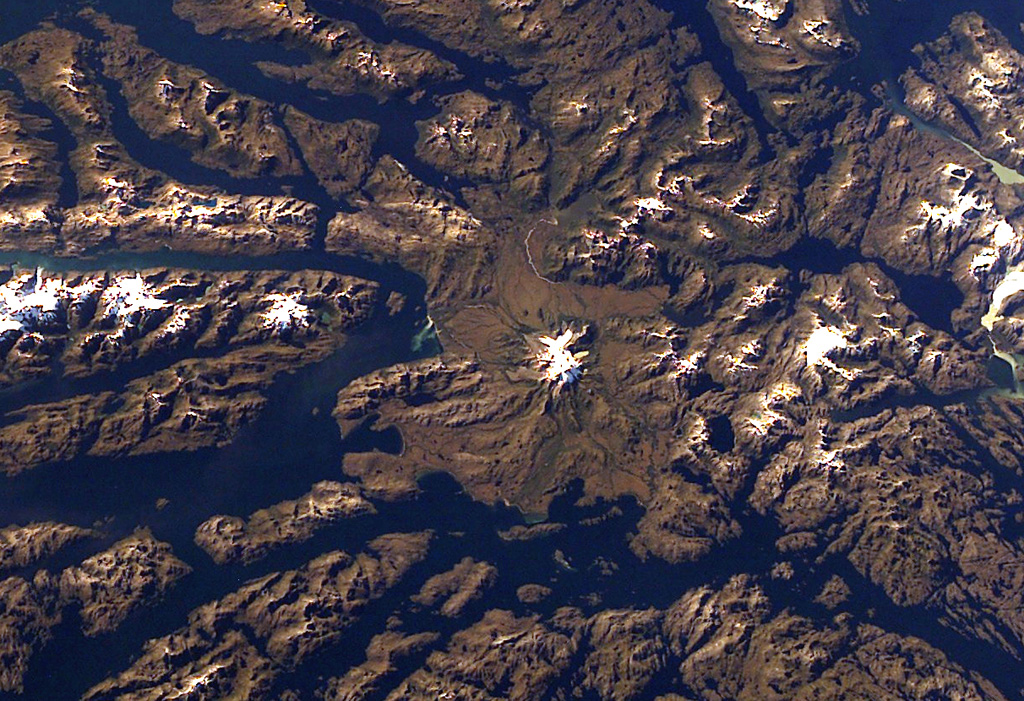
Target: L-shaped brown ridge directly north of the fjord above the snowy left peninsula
{"points": [[124, 204]]}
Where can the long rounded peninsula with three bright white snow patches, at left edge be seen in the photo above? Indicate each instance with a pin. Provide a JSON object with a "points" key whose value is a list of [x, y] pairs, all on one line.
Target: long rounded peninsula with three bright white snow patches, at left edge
{"points": [[80, 324]]}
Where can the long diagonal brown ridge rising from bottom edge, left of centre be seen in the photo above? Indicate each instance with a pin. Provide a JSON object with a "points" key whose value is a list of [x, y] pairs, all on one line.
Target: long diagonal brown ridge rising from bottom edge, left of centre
{"points": [[237, 646]]}
